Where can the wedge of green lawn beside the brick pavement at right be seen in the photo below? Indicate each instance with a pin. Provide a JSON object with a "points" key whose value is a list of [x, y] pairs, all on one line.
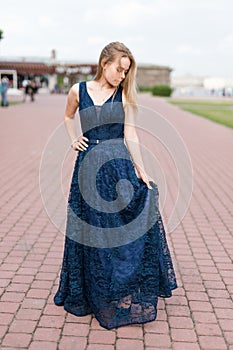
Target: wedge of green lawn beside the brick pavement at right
{"points": [[218, 111]]}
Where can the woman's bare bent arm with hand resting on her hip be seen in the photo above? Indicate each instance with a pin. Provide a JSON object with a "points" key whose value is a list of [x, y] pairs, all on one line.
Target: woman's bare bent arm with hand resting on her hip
{"points": [[71, 108]]}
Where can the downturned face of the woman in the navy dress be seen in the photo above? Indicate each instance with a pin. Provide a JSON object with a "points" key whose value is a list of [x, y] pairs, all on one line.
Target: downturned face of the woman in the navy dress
{"points": [[115, 72]]}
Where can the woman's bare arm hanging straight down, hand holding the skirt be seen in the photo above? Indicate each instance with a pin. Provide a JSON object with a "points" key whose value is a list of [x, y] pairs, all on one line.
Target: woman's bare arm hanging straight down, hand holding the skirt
{"points": [[132, 142]]}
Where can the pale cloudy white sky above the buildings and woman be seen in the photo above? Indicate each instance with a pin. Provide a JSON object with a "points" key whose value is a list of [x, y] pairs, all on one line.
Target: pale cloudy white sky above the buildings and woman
{"points": [[191, 37]]}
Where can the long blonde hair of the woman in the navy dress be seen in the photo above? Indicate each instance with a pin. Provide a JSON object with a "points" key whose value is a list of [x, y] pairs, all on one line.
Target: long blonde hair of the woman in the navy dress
{"points": [[109, 54]]}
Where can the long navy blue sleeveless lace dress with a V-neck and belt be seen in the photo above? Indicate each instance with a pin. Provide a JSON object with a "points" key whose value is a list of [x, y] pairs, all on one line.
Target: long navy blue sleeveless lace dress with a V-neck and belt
{"points": [[116, 259]]}
